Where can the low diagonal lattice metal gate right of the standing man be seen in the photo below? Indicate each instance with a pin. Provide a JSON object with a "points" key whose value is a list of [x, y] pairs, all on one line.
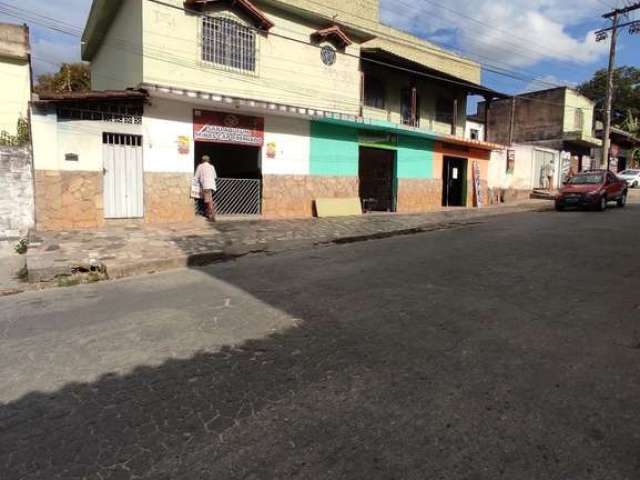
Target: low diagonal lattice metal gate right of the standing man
{"points": [[238, 196]]}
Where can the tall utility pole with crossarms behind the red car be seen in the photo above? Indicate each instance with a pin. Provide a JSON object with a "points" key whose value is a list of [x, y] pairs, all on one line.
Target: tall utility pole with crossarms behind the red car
{"points": [[614, 16]]}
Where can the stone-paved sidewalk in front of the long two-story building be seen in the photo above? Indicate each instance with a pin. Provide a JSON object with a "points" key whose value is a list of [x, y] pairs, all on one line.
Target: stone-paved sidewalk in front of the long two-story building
{"points": [[127, 251]]}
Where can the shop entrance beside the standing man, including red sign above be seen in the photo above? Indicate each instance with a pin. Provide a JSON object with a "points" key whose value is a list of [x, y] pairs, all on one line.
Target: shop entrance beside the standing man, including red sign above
{"points": [[234, 144]]}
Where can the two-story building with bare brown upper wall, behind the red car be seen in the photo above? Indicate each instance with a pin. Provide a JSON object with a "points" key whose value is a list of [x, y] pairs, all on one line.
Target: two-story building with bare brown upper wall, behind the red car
{"points": [[545, 132]]}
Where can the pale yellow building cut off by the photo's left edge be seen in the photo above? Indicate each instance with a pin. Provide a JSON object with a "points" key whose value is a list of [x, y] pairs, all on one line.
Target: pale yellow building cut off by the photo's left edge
{"points": [[15, 71]]}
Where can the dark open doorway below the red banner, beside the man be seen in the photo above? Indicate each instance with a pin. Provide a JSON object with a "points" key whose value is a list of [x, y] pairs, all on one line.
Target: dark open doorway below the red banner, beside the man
{"points": [[239, 170]]}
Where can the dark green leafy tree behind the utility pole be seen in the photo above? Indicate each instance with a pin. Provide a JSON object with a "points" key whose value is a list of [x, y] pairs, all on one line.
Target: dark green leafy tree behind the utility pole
{"points": [[626, 94]]}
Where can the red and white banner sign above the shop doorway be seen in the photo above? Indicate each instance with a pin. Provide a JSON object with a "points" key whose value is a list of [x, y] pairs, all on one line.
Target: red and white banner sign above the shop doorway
{"points": [[220, 127]]}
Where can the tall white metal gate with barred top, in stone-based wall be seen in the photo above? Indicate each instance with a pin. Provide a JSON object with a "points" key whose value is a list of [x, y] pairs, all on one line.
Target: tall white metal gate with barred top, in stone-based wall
{"points": [[123, 176]]}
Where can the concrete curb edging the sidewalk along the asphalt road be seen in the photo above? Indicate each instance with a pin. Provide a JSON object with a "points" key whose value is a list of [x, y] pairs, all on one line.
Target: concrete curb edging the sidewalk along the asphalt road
{"points": [[455, 219]]}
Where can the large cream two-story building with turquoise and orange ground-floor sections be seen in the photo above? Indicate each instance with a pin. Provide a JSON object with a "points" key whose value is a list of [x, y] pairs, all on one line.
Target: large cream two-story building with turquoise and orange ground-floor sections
{"points": [[293, 100]]}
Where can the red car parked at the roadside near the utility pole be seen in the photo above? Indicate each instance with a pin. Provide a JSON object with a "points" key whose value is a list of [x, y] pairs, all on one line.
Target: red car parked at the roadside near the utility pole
{"points": [[592, 189]]}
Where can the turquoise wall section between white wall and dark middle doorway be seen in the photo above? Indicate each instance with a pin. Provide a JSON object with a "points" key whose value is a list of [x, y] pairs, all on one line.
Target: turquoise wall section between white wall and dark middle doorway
{"points": [[334, 150]]}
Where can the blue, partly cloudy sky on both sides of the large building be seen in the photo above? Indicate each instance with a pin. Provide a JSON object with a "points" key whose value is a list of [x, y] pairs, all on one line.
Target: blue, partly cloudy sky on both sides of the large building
{"points": [[544, 43]]}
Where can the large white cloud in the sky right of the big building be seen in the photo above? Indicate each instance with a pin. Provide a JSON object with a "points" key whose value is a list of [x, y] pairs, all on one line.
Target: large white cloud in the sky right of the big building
{"points": [[513, 33]]}
